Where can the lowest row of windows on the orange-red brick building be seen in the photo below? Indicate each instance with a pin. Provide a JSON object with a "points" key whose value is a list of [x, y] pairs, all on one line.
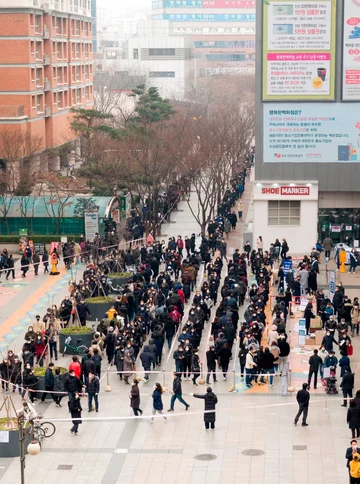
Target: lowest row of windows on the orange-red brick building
{"points": [[62, 99]]}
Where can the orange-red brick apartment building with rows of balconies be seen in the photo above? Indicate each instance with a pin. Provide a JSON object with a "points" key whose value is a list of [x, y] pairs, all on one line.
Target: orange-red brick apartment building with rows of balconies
{"points": [[45, 65]]}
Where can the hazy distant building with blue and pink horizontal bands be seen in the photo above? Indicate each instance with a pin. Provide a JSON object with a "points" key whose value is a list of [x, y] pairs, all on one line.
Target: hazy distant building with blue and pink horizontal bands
{"points": [[223, 31]]}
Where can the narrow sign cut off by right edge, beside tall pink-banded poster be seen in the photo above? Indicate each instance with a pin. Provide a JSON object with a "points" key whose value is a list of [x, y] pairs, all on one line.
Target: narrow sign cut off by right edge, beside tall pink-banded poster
{"points": [[351, 51]]}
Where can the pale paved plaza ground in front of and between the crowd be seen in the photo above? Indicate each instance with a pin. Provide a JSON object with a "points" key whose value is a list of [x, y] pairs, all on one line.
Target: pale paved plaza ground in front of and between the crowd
{"points": [[255, 440]]}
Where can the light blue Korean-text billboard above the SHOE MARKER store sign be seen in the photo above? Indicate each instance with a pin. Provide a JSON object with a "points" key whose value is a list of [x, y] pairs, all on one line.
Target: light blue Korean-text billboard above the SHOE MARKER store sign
{"points": [[311, 133]]}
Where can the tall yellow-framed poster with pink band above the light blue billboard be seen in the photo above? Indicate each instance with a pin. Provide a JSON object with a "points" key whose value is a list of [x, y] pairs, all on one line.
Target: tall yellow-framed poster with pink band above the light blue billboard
{"points": [[299, 50]]}
